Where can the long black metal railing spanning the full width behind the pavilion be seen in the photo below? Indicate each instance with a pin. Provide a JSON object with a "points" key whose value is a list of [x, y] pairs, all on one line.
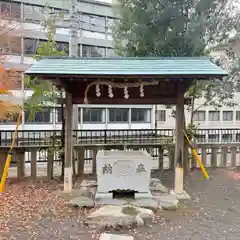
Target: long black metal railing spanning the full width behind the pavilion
{"points": [[47, 138]]}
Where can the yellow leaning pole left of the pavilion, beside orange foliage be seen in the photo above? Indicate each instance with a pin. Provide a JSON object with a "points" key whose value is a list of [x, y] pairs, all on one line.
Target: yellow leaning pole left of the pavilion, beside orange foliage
{"points": [[9, 157]]}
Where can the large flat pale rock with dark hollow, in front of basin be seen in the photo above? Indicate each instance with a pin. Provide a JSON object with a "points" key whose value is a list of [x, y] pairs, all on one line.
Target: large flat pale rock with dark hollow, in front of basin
{"points": [[114, 217]]}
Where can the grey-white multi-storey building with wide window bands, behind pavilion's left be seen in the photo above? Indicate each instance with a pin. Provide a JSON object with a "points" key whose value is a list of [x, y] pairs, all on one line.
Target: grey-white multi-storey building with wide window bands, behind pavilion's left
{"points": [[95, 19]]}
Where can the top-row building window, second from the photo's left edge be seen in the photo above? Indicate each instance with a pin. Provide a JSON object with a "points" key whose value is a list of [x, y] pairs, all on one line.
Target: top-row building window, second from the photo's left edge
{"points": [[33, 13]]}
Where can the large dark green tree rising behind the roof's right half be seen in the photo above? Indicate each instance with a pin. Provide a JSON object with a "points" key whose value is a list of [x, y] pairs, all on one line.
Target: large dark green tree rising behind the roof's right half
{"points": [[181, 28]]}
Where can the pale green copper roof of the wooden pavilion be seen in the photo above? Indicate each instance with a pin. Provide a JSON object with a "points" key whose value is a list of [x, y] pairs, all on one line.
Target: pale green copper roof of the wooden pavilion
{"points": [[126, 66]]}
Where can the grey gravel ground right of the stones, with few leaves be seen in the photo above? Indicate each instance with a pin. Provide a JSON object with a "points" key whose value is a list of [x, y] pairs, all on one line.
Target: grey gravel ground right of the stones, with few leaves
{"points": [[213, 213]]}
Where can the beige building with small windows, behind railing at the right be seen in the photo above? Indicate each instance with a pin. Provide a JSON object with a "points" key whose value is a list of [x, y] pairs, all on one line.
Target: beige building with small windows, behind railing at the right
{"points": [[214, 125]]}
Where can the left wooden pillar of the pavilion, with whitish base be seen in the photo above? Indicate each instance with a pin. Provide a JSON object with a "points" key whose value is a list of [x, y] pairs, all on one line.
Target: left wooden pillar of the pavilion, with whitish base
{"points": [[68, 143]]}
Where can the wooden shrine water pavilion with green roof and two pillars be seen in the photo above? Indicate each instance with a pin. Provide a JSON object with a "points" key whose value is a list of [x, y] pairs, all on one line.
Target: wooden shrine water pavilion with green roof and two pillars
{"points": [[125, 81]]}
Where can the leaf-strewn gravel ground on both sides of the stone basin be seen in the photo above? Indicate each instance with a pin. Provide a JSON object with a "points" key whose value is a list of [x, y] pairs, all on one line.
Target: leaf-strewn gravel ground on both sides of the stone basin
{"points": [[35, 212]]}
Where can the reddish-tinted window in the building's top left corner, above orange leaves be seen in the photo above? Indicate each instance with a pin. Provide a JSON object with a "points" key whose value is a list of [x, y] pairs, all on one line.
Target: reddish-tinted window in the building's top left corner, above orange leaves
{"points": [[10, 9]]}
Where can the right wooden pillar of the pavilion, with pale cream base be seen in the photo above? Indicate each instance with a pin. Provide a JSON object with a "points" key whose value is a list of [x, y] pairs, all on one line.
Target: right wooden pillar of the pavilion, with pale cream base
{"points": [[179, 146]]}
